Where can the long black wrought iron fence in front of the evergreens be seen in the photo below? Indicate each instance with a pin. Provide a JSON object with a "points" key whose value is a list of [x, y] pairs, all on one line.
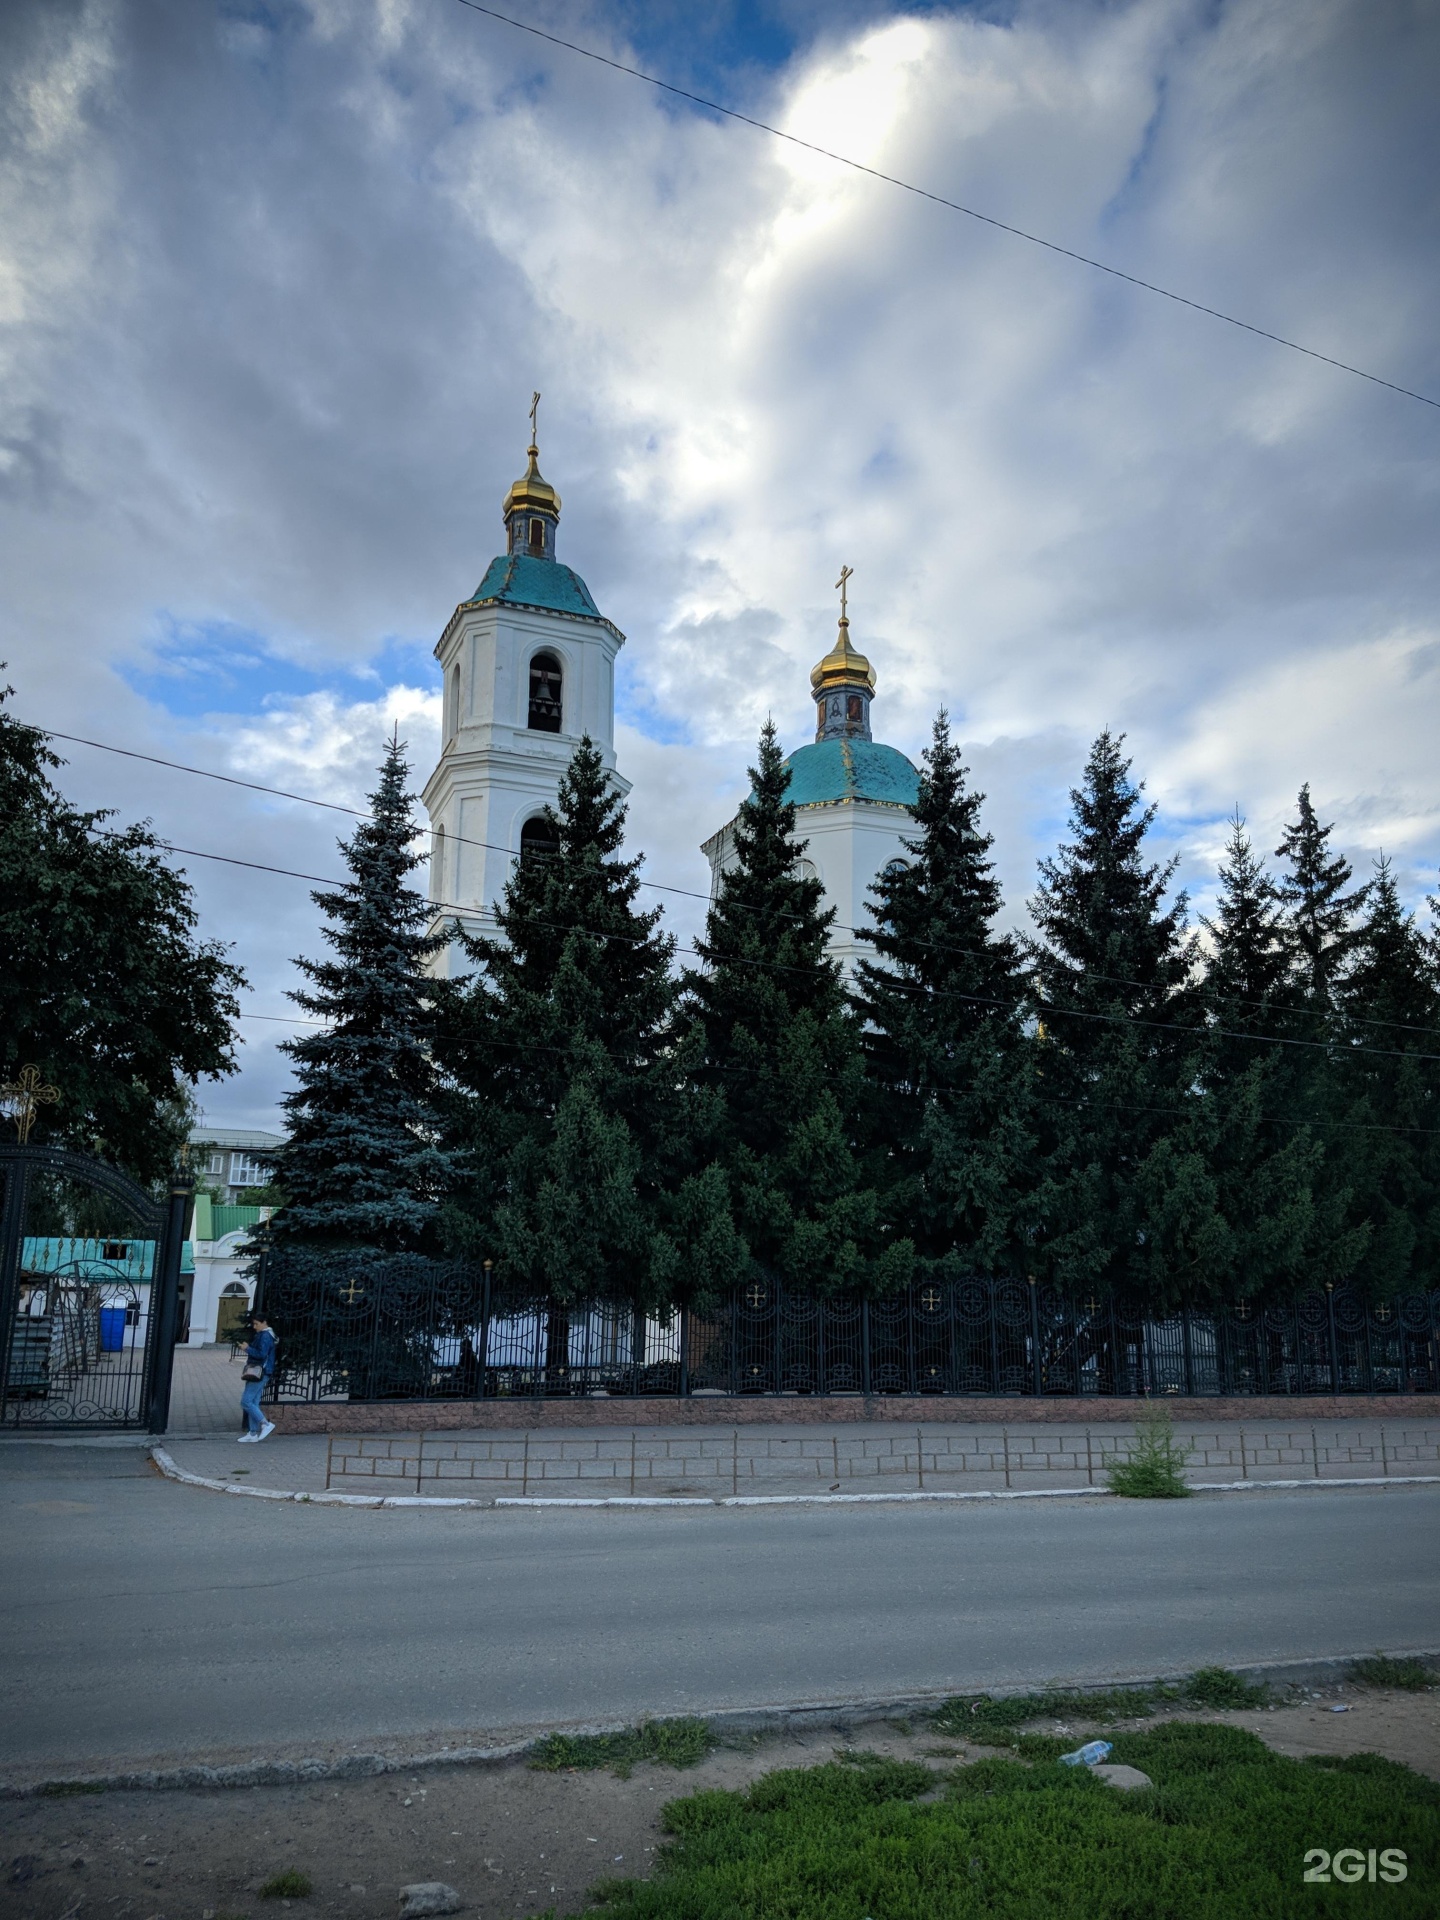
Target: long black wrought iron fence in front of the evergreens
{"points": [[418, 1330]]}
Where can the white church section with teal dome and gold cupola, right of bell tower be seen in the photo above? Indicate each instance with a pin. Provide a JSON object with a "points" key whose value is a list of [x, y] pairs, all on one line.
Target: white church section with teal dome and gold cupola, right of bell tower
{"points": [[850, 792]]}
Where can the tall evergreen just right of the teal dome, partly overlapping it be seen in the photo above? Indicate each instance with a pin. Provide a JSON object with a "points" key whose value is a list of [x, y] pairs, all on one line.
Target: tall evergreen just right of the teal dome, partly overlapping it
{"points": [[946, 1034]]}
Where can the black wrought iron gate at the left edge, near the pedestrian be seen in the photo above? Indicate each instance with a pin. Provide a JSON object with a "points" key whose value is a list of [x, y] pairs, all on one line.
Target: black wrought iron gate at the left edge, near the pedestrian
{"points": [[89, 1293]]}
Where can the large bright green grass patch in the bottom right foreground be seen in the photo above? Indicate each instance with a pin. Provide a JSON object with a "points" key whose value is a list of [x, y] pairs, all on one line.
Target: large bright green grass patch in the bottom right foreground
{"points": [[1222, 1836]]}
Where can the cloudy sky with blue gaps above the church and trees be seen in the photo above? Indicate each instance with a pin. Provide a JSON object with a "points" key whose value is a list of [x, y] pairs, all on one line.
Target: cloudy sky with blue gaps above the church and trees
{"points": [[277, 281]]}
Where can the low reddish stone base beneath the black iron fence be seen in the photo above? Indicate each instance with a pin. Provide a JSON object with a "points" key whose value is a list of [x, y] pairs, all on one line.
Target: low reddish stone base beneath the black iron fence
{"points": [[830, 1410]]}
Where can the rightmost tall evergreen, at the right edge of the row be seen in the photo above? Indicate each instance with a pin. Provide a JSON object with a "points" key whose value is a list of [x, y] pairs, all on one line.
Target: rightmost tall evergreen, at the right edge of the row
{"points": [[1389, 1028]]}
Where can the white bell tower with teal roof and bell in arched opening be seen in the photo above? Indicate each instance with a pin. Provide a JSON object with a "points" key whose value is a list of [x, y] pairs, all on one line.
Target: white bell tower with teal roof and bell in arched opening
{"points": [[529, 669]]}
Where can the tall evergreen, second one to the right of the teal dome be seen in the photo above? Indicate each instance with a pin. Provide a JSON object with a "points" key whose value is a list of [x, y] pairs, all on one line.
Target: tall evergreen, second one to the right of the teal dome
{"points": [[1132, 1203]]}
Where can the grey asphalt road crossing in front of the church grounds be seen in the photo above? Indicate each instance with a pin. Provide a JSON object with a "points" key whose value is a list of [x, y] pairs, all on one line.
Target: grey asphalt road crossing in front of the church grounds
{"points": [[145, 1620]]}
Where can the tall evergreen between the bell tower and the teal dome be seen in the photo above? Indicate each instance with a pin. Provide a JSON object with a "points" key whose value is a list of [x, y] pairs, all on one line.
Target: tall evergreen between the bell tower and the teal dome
{"points": [[773, 1049]]}
